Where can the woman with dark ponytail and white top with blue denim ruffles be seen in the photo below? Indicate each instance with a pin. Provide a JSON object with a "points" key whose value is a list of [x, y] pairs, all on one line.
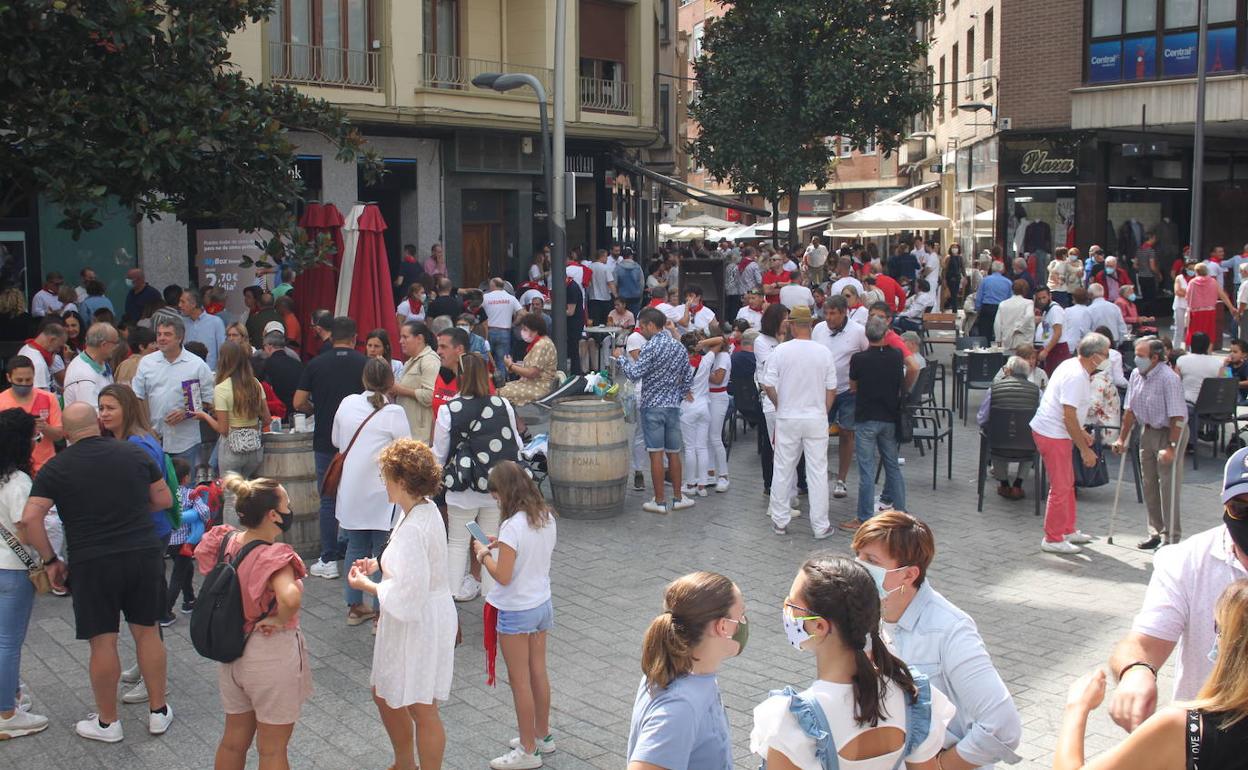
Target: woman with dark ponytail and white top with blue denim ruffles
{"points": [[875, 713]]}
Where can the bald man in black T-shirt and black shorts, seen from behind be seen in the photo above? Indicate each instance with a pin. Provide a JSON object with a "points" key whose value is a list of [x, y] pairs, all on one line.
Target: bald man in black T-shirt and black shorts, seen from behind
{"points": [[105, 492]]}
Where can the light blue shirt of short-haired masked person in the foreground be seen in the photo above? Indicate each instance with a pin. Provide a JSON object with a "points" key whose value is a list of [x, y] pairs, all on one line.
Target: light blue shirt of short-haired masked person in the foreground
{"points": [[942, 641]]}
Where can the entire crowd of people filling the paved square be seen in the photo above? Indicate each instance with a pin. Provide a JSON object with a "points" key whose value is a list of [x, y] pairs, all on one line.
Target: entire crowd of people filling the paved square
{"points": [[130, 459]]}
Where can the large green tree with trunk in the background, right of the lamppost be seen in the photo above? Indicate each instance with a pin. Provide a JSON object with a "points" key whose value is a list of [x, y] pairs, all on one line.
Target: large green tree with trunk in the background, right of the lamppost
{"points": [[778, 79]]}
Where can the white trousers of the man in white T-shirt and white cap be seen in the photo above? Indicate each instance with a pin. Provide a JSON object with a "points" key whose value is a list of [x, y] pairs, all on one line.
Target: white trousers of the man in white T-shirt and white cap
{"points": [[796, 437]]}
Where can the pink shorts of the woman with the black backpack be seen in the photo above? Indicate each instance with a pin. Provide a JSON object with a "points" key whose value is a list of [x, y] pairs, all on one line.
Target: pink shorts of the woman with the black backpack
{"points": [[273, 678]]}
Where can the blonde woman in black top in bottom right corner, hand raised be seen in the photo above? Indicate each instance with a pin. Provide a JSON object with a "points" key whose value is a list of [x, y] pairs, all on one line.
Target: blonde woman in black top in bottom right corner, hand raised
{"points": [[1211, 732]]}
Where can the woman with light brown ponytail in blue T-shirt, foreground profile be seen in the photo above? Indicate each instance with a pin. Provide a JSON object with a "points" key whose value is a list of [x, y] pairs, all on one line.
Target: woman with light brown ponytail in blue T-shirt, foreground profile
{"points": [[678, 719]]}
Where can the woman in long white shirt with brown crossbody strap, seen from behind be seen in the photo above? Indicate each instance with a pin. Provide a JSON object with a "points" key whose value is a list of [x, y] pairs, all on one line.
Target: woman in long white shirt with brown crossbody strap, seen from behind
{"points": [[364, 426]]}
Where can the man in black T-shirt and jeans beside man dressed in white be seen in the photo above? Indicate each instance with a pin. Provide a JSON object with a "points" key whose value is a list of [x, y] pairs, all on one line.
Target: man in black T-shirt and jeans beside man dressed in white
{"points": [[877, 411]]}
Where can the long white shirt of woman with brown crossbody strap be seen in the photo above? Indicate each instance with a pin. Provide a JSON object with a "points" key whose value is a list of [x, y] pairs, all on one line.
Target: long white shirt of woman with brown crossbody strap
{"points": [[370, 507]]}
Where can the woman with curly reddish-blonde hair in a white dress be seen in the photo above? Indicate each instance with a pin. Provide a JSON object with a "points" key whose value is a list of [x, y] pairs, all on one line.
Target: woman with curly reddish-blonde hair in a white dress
{"points": [[414, 656]]}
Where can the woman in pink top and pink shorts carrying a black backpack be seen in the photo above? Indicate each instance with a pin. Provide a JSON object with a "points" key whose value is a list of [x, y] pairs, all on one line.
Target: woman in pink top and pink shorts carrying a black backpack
{"points": [[263, 692]]}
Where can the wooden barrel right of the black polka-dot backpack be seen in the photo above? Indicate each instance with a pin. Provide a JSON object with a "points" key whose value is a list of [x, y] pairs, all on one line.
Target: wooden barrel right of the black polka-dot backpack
{"points": [[588, 459]]}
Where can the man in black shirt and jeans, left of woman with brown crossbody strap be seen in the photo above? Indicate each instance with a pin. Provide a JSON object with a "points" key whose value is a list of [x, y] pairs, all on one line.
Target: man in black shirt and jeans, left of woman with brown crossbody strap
{"points": [[328, 380]]}
